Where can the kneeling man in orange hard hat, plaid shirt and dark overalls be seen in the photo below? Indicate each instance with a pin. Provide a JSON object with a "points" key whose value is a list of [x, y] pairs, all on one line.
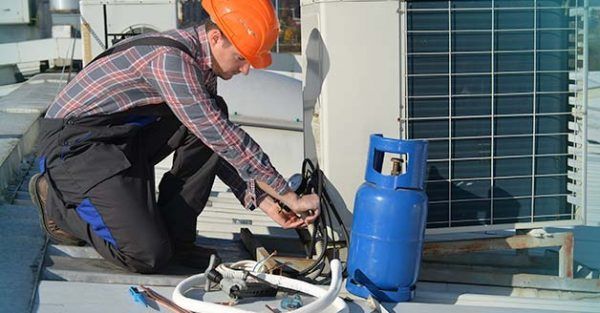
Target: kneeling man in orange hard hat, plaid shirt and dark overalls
{"points": [[133, 106]]}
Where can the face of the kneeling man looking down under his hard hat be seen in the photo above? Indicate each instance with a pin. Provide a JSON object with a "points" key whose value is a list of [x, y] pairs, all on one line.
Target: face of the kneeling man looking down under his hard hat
{"points": [[226, 60]]}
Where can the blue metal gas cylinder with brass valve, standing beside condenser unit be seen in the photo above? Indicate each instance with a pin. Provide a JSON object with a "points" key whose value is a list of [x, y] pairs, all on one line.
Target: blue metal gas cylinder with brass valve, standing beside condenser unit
{"points": [[390, 211]]}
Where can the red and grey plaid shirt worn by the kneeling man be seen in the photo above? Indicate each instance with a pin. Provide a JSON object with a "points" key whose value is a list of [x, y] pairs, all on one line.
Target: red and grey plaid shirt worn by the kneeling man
{"points": [[146, 75]]}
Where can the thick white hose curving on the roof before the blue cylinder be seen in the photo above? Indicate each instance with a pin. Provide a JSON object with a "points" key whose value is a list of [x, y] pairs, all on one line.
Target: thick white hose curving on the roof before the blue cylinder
{"points": [[325, 298]]}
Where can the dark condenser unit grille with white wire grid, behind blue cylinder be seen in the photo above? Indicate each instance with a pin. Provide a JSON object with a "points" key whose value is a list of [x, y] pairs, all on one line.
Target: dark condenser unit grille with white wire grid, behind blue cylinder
{"points": [[489, 84]]}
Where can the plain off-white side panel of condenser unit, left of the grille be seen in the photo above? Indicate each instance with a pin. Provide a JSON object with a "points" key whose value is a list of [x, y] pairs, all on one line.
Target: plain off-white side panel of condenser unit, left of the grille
{"points": [[352, 71]]}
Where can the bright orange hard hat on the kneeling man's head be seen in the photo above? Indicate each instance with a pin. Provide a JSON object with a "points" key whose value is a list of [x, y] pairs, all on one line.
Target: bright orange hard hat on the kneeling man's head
{"points": [[250, 25]]}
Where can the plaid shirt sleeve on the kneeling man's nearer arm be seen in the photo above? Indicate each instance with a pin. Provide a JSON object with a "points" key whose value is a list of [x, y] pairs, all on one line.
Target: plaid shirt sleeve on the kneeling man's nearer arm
{"points": [[179, 81]]}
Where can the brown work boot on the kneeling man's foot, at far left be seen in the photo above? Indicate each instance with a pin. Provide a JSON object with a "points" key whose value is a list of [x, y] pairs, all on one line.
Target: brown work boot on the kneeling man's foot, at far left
{"points": [[38, 191]]}
